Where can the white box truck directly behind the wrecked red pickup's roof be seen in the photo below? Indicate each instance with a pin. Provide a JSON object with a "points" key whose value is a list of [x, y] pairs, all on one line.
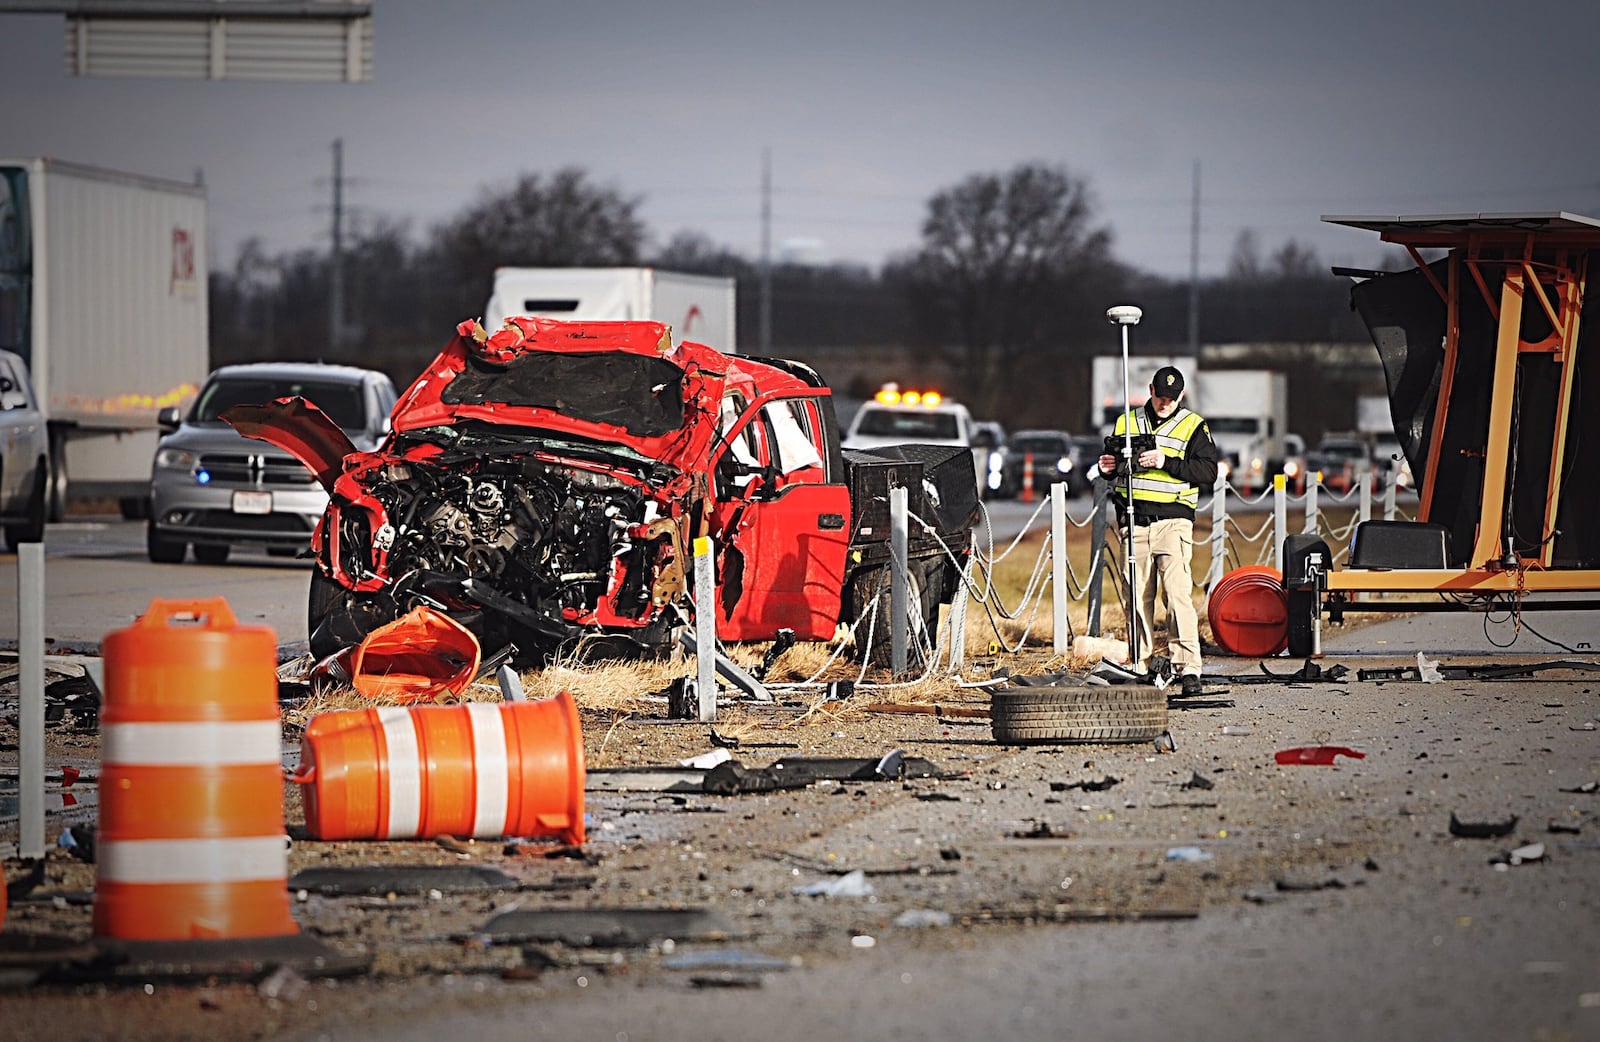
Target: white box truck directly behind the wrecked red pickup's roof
{"points": [[698, 308]]}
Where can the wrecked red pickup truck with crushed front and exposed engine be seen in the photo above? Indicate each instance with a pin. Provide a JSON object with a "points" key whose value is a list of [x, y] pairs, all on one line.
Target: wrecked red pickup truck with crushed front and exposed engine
{"points": [[545, 486]]}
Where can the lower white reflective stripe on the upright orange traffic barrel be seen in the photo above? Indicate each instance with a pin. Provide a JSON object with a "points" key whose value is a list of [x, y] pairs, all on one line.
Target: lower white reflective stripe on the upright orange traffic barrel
{"points": [[193, 860]]}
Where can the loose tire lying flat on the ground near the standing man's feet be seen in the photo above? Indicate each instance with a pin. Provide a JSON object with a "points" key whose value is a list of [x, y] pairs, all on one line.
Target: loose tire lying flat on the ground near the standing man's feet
{"points": [[1097, 715]]}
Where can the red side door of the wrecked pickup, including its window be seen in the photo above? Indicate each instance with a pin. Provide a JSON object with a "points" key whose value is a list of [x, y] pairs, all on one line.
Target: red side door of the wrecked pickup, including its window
{"points": [[782, 526]]}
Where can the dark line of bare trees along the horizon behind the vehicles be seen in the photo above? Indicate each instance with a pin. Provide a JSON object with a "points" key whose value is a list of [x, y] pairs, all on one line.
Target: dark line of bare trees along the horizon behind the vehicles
{"points": [[1007, 287]]}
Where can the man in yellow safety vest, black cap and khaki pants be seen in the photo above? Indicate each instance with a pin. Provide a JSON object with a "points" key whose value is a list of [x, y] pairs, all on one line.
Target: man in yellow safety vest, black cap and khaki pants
{"points": [[1167, 486]]}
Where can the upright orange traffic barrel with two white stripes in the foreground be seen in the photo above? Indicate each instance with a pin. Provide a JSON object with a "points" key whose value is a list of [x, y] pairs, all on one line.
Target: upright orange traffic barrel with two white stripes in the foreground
{"points": [[191, 820]]}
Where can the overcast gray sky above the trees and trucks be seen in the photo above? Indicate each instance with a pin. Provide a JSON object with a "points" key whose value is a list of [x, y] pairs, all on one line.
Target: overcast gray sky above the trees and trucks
{"points": [[870, 108]]}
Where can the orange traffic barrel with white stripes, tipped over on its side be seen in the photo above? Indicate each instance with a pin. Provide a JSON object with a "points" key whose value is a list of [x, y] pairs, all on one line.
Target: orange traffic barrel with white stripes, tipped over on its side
{"points": [[471, 771]]}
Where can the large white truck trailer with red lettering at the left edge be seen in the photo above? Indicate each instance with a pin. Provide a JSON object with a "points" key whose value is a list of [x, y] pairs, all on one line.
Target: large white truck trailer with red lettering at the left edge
{"points": [[103, 291]]}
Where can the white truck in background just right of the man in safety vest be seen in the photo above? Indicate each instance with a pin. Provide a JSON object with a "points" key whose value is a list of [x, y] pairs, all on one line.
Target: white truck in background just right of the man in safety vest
{"points": [[1249, 417]]}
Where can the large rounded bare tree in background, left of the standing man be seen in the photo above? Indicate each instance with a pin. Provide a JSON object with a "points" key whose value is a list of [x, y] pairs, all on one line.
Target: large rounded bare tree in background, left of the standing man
{"points": [[1010, 265]]}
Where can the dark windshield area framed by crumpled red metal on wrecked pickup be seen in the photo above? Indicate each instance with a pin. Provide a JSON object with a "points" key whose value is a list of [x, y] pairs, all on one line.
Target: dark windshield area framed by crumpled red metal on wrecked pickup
{"points": [[641, 395]]}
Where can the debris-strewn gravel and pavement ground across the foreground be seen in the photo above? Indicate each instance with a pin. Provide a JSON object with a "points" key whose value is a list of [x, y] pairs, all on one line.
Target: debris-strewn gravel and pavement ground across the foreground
{"points": [[1330, 902]]}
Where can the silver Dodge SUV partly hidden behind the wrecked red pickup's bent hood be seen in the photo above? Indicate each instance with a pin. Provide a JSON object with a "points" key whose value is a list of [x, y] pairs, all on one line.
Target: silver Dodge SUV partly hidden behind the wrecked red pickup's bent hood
{"points": [[215, 489]]}
